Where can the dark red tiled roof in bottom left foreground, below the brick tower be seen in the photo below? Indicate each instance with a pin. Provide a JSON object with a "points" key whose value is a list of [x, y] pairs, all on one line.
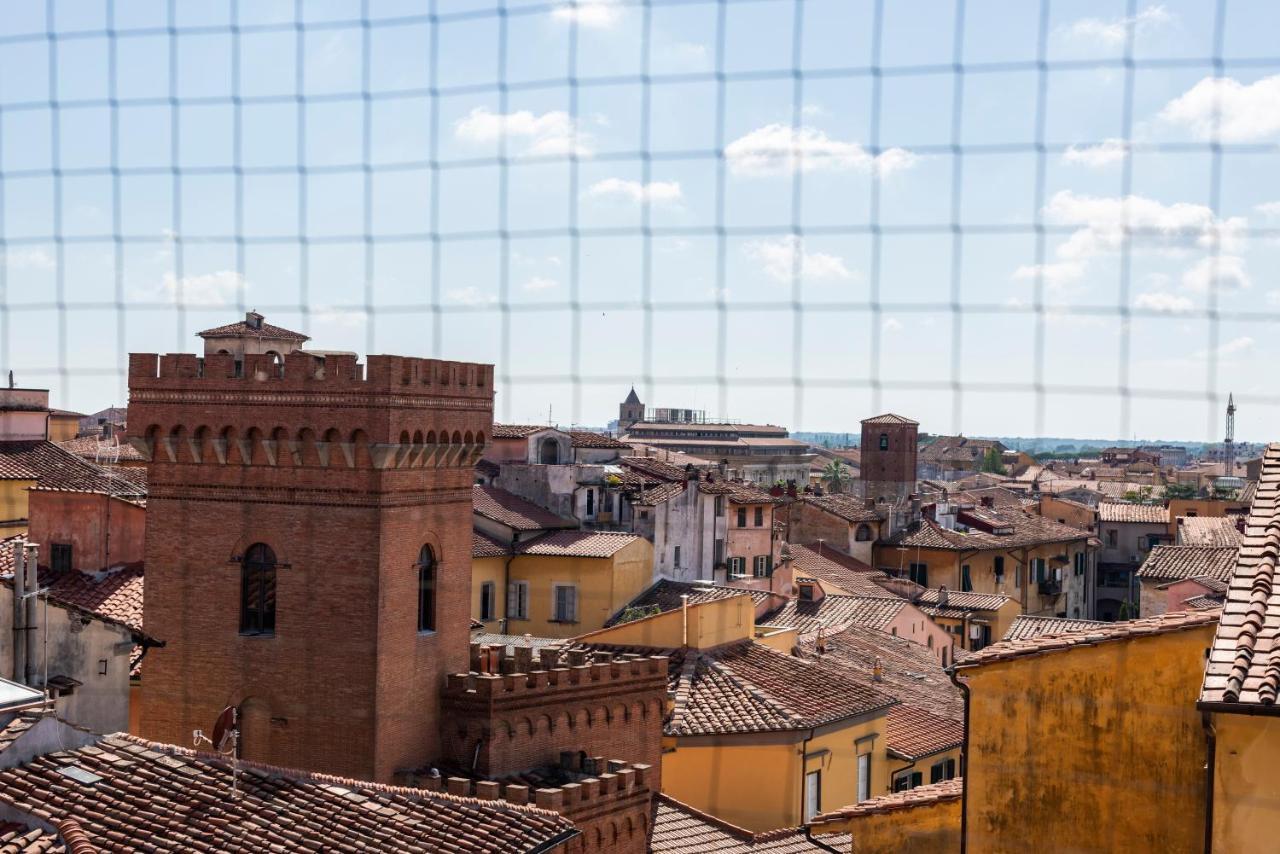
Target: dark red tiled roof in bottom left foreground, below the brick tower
{"points": [[177, 800]]}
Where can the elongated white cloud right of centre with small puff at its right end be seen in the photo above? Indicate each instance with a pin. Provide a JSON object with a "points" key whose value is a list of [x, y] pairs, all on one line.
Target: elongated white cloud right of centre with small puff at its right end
{"points": [[780, 149]]}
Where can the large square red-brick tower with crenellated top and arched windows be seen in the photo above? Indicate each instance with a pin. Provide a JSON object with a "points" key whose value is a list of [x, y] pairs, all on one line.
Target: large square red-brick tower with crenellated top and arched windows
{"points": [[309, 550]]}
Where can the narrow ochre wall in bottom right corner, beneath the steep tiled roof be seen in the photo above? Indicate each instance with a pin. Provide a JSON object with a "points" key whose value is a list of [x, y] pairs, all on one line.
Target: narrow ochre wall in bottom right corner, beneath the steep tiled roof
{"points": [[1246, 787]]}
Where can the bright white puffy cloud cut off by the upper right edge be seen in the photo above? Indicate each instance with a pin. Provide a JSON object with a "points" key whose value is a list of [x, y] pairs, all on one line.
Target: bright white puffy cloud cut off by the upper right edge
{"points": [[1227, 109]]}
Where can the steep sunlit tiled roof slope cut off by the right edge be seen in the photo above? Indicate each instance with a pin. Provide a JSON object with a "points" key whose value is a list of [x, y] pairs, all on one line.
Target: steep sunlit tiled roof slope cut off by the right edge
{"points": [[1245, 663]]}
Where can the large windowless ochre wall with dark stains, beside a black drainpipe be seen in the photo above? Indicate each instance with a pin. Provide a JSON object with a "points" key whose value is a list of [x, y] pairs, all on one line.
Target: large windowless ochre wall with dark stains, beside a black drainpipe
{"points": [[1101, 746]]}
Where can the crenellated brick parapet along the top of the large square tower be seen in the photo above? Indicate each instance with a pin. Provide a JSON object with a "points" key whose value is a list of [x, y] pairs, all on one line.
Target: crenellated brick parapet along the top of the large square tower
{"points": [[303, 371]]}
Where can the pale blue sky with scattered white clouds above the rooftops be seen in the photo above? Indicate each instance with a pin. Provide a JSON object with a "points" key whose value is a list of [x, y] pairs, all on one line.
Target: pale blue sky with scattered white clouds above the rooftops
{"points": [[756, 268]]}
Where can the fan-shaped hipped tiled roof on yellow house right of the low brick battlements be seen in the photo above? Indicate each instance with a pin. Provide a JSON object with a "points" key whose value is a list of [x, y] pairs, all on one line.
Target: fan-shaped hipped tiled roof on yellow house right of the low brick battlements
{"points": [[751, 688]]}
